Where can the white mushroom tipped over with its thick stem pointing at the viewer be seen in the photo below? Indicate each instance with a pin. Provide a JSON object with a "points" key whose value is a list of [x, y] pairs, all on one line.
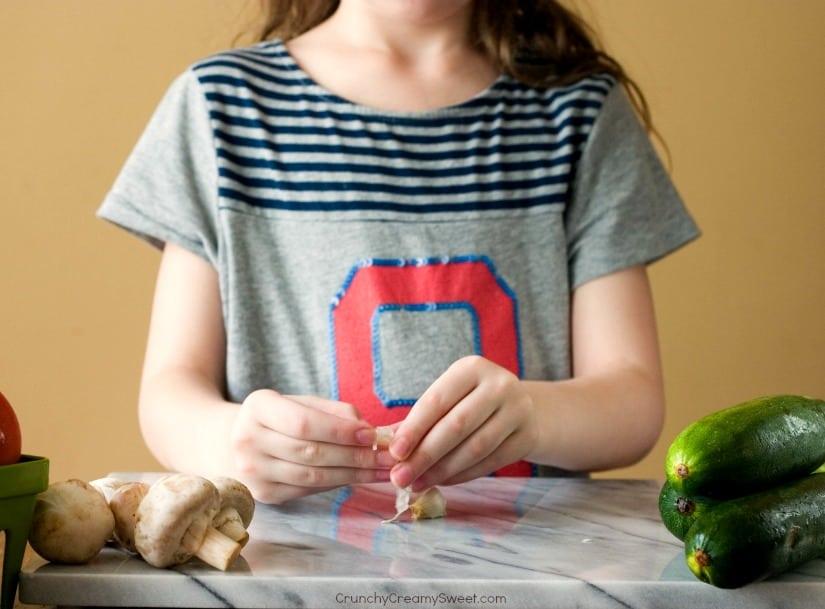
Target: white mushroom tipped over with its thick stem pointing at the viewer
{"points": [[174, 523]]}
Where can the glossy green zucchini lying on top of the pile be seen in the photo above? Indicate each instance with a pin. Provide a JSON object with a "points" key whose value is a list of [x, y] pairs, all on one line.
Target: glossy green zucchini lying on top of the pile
{"points": [[748, 447]]}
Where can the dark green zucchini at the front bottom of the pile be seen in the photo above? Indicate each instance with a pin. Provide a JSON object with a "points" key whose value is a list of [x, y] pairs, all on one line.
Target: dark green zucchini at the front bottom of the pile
{"points": [[757, 536]]}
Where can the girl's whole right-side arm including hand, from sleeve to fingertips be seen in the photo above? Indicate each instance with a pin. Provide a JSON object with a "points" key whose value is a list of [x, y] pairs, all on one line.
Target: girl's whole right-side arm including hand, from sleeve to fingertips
{"points": [[478, 417]]}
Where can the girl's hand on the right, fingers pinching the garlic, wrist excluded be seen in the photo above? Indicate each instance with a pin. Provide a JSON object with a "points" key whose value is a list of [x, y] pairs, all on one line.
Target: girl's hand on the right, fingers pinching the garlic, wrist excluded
{"points": [[474, 419]]}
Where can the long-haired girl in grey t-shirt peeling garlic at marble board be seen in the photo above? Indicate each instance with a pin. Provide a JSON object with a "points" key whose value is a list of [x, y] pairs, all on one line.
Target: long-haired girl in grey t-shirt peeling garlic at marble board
{"points": [[431, 214]]}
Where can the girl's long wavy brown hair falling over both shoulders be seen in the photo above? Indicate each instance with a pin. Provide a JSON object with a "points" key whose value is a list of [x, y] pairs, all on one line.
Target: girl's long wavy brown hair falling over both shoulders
{"points": [[538, 42]]}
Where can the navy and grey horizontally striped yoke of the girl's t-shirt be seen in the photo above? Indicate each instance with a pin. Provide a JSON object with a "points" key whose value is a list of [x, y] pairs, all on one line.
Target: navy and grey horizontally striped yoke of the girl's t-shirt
{"points": [[283, 142]]}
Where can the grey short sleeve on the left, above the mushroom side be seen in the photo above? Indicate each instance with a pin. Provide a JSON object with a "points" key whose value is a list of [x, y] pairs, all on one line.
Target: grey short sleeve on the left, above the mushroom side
{"points": [[167, 189]]}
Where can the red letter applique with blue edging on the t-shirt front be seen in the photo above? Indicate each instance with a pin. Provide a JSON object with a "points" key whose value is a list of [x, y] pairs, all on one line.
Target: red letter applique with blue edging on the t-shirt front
{"points": [[394, 318]]}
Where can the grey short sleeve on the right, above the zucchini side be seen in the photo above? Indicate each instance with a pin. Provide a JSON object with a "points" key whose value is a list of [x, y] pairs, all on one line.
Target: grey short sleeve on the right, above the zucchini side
{"points": [[624, 209]]}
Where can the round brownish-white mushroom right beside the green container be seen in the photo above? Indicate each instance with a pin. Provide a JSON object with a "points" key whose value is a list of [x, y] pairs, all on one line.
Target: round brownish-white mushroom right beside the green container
{"points": [[72, 522]]}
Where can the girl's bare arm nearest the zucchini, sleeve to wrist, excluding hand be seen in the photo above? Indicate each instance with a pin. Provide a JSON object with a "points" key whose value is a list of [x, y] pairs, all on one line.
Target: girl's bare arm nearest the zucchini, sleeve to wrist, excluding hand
{"points": [[610, 414]]}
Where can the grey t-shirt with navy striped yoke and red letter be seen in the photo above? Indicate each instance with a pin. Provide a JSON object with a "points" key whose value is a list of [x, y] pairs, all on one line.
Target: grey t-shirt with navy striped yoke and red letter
{"points": [[361, 251]]}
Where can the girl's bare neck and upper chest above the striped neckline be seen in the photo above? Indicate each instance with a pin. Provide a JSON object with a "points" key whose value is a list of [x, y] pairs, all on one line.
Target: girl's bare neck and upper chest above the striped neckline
{"points": [[396, 54]]}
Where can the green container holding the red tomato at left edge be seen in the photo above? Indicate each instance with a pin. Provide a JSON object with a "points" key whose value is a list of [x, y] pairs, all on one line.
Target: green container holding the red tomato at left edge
{"points": [[19, 485]]}
